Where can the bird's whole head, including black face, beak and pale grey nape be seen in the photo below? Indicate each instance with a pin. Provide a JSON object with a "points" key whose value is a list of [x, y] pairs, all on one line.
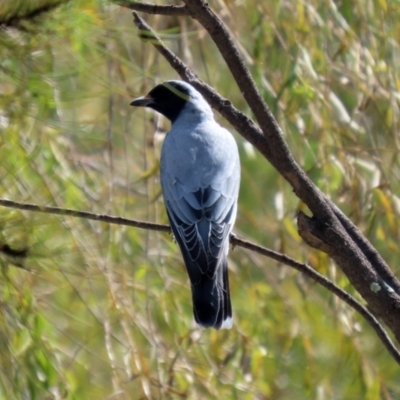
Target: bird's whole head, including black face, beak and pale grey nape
{"points": [[170, 98]]}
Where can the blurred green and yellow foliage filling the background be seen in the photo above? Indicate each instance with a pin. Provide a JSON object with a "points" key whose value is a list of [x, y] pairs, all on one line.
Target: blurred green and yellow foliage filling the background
{"points": [[94, 311]]}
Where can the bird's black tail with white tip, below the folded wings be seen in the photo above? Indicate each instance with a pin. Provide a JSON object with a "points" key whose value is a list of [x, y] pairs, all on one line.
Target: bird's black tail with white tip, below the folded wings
{"points": [[211, 300]]}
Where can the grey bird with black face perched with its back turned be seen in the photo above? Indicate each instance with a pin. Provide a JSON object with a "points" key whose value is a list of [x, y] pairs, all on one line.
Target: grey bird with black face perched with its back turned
{"points": [[200, 179]]}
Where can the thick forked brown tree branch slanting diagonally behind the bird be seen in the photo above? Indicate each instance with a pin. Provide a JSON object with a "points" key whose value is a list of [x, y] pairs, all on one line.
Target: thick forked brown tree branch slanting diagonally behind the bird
{"points": [[326, 226]]}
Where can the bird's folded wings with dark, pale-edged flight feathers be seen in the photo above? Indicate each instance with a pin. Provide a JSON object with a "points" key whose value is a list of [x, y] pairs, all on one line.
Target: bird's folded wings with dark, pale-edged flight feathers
{"points": [[201, 221]]}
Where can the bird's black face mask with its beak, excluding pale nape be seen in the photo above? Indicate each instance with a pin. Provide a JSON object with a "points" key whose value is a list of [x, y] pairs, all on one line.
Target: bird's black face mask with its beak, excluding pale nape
{"points": [[167, 98]]}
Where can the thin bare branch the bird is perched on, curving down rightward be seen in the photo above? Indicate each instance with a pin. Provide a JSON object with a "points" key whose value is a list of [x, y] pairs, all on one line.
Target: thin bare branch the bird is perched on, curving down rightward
{"points": [[235, 241]]}
